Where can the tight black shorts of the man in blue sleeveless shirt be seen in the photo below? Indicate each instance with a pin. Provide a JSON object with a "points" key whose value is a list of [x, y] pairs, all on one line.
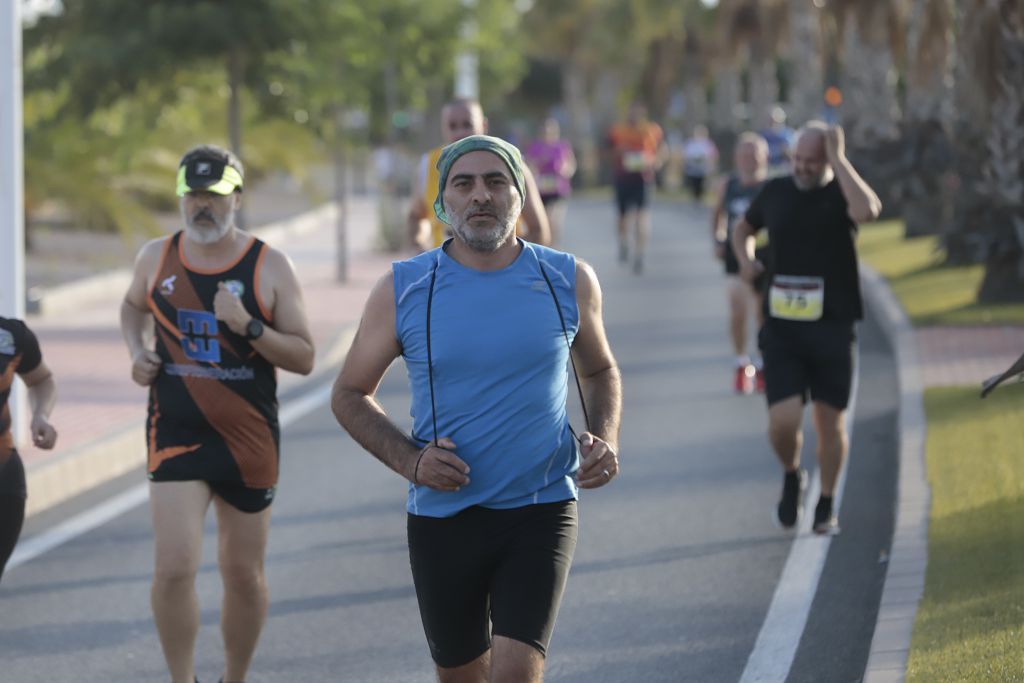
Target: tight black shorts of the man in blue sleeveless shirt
{"points": [[506, 567]]}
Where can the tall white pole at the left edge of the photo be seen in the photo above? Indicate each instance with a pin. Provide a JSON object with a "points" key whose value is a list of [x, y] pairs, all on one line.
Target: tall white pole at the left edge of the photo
{"points": [[12, 184]]}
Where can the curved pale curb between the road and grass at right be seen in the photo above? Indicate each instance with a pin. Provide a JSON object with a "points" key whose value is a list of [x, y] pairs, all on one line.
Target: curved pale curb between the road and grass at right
{"points": [[905, 584]]}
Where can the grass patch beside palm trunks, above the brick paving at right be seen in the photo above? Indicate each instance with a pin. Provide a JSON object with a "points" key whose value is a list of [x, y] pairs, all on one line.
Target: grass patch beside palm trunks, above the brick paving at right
{"points": [[930, 292]]}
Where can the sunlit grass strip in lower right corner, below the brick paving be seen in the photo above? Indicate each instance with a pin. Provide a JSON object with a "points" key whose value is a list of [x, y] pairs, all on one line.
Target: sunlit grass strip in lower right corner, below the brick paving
{"points": [[970, 624]]}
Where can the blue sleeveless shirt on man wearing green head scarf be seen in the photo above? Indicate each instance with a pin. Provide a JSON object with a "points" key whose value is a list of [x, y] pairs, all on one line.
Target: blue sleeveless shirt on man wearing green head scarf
{"points": [[500, 375]]}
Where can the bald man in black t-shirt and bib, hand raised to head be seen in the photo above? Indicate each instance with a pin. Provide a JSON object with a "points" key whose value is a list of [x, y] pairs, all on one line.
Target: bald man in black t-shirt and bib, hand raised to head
{"points": [[813, 304]]}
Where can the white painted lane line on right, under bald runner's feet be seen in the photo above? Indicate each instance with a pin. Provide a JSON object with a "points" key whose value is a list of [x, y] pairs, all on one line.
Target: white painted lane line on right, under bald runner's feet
{"points": [[784, 626]]}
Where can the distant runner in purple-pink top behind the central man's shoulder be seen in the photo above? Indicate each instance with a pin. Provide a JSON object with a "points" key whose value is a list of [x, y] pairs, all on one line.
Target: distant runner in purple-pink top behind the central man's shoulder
{"points": [[553, 164]]}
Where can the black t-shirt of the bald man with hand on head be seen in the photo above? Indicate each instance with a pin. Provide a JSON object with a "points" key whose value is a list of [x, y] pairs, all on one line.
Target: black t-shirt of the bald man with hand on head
{"points": [[812, 235]]}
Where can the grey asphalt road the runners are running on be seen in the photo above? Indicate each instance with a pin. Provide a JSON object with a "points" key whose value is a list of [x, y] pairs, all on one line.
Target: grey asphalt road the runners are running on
{"points": [[677, 563]]}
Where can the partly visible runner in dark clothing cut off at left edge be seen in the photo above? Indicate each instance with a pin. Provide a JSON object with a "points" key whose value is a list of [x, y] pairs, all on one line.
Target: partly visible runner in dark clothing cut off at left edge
{"points": [[20, 354]]}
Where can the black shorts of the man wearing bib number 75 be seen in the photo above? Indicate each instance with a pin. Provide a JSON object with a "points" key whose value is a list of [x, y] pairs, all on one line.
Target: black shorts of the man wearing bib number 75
{"points": [[808, 359]]}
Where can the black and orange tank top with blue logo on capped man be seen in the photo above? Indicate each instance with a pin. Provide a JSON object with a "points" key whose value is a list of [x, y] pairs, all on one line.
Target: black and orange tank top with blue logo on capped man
{"points": [[216, 396]]}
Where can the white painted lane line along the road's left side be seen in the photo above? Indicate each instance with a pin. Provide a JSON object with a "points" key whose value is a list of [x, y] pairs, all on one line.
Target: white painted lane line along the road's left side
{"points": [[105, 513]]}
